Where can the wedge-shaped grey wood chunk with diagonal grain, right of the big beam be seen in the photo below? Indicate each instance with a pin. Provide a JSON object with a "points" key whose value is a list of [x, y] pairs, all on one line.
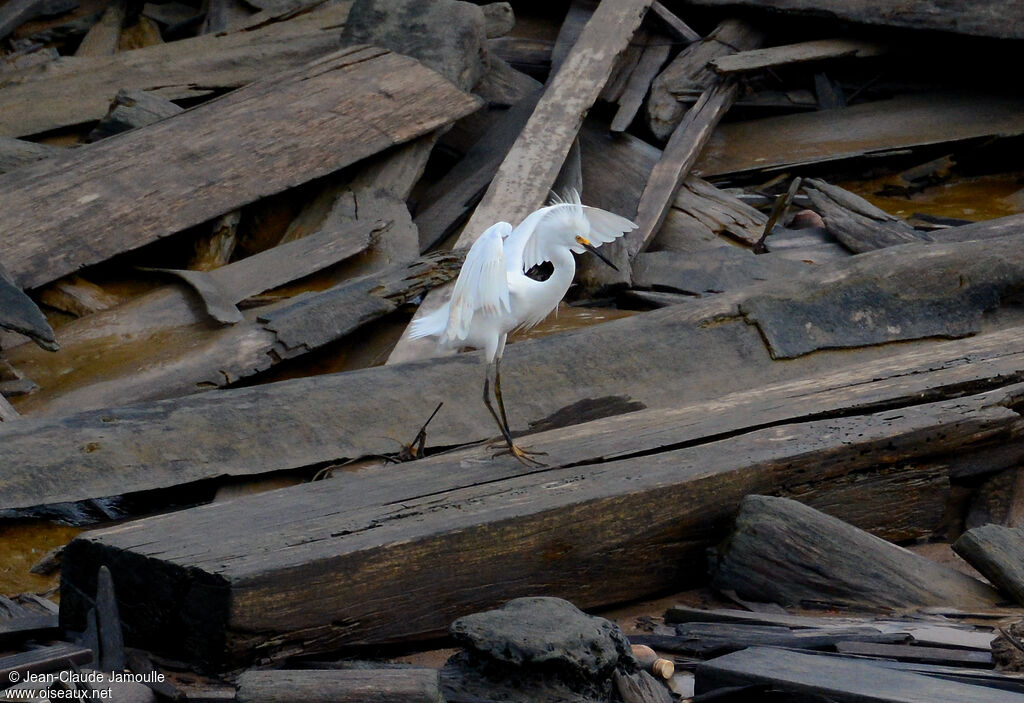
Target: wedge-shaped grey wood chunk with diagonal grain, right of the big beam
{"points": [[784, 552]]}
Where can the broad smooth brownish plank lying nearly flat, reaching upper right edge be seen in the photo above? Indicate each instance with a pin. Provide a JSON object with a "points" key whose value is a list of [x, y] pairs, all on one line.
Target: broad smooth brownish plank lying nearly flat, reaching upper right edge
{"points": [[859, 130]]}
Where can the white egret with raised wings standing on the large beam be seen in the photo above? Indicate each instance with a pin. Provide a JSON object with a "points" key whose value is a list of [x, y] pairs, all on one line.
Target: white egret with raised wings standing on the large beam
{"points": [[494, 296]]}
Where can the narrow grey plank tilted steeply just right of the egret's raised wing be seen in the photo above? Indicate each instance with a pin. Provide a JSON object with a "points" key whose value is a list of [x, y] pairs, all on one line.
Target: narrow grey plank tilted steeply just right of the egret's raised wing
{"points": [[680, 154]]}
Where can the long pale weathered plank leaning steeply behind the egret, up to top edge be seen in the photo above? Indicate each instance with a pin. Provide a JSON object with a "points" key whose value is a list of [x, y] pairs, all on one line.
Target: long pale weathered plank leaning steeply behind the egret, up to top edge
{"points": [[524, 182]]}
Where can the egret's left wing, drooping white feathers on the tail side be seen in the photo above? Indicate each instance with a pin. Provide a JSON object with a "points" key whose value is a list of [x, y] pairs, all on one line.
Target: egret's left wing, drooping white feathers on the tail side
{"points": [[483, 287]]}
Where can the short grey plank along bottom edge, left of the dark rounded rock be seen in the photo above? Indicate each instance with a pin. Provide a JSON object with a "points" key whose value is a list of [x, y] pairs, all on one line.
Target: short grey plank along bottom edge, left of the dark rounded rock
{"points": [[339, 686]]}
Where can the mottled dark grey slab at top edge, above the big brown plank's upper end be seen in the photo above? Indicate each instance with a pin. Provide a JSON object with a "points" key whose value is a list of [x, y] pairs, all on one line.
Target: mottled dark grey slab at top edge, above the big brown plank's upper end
{"points": [[447, 35]]}
